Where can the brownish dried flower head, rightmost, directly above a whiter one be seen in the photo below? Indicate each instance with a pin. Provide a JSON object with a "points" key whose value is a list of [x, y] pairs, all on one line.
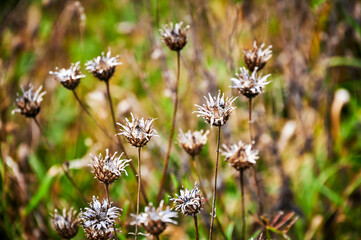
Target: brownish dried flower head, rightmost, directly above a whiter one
{"points": [[257, 57]]}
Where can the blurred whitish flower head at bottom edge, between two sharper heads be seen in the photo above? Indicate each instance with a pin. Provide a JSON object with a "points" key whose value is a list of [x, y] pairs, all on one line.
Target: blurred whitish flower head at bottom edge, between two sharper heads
{"points": [[155, 220]]}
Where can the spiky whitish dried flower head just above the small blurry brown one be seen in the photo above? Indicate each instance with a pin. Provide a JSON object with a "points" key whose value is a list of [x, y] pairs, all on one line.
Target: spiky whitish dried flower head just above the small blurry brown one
{"points": [[217, 110]]}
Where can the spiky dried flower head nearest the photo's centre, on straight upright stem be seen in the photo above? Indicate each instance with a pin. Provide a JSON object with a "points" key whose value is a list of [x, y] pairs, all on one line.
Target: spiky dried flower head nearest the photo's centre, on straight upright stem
{"points": [[139, 131]]}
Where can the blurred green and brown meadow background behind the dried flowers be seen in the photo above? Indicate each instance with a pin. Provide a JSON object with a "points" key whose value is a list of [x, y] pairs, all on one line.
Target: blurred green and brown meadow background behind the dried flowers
{"points": [[306, 125]]}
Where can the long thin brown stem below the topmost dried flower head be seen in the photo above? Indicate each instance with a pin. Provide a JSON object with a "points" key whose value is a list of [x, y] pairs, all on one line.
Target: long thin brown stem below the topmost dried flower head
{"points": [[170, 140]]}
